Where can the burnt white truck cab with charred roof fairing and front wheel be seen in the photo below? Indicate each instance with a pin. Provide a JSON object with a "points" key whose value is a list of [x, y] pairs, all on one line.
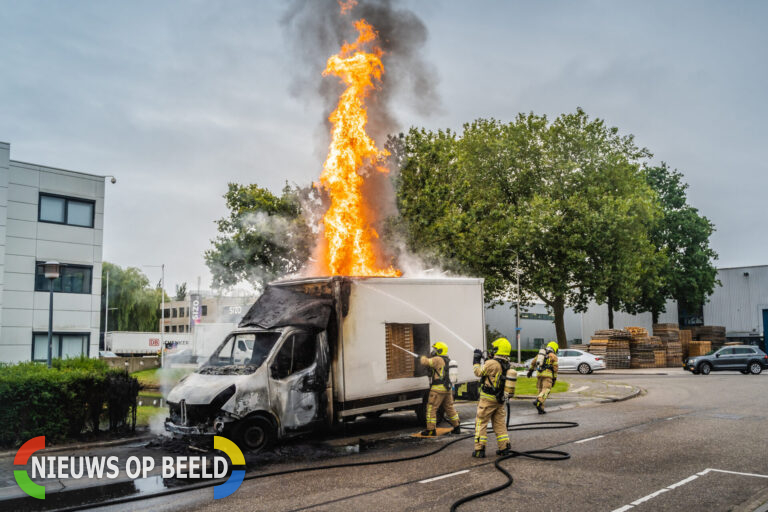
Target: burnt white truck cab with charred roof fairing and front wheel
{"points": [[267, 379]]}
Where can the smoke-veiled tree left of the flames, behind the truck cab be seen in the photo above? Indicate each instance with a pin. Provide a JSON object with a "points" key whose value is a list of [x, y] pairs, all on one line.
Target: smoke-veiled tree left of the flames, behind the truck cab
{"points": [[263, 238]]}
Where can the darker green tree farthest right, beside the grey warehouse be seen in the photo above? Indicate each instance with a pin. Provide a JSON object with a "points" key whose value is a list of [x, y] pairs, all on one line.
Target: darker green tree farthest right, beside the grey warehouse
{"points": [[682, 234]]}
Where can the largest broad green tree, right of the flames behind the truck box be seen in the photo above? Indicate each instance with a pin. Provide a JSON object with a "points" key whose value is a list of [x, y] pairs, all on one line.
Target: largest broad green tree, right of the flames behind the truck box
{"points": [[567, 197]]}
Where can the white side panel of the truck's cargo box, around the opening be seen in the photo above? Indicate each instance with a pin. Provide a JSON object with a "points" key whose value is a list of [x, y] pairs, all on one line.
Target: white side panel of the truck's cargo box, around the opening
{"points": [[453, 308]]}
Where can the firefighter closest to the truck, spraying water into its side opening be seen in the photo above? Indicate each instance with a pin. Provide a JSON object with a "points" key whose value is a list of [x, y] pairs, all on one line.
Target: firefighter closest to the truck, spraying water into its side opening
{"points": [[440, 392]]}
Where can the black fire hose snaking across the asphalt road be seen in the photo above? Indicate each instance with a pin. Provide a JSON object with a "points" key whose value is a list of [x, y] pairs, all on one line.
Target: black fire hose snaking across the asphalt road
{"points": [[551, 455]]}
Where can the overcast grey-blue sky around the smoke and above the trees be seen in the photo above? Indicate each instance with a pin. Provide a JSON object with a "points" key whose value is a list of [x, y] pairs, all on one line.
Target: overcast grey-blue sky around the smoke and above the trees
{"points": [[178, 98]]}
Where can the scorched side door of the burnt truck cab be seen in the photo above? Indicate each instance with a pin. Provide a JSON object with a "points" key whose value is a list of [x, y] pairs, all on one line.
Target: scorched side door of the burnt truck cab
{"points": [[299, 375]]}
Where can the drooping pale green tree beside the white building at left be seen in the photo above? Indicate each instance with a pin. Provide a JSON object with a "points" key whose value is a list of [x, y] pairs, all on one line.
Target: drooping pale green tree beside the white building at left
{"points": [[136, 304]]}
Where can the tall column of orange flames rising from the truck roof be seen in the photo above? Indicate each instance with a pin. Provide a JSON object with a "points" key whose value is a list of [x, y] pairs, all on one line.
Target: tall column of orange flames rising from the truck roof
{"points": [[348, 233]]}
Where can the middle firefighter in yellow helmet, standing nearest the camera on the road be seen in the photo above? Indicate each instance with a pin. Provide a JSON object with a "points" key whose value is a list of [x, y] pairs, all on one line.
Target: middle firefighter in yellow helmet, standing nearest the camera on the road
{"points": [[493, 396]]}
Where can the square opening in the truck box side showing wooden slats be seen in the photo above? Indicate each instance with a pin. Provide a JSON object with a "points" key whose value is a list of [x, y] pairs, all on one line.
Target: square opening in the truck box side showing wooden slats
{"points": [[413, 337]]}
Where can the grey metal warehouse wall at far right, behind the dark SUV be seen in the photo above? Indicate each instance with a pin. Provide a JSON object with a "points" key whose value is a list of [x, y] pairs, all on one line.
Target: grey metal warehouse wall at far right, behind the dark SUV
{"points": [[739, 302]]}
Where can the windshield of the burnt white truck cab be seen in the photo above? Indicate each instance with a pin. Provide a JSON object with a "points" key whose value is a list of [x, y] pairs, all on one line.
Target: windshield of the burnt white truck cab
{"points": [[241, 353]]}
